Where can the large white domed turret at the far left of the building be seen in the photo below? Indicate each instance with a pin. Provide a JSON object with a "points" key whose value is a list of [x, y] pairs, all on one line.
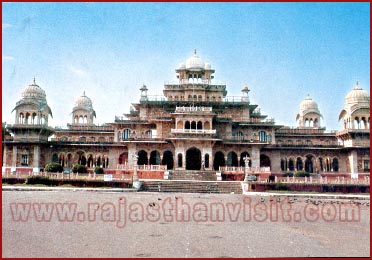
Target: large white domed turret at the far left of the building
{"points": [[33, 107]]}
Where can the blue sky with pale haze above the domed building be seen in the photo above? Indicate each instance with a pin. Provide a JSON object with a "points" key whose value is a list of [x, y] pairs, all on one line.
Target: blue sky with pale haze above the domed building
{"points": [[282, 51]]}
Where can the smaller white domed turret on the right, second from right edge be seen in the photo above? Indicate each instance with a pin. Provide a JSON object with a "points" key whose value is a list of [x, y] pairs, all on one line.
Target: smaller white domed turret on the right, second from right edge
{"points": [[309, 114]]}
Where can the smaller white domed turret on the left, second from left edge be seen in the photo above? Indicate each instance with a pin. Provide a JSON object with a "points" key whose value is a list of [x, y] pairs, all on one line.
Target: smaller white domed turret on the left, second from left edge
{"points": [[83, 111]]}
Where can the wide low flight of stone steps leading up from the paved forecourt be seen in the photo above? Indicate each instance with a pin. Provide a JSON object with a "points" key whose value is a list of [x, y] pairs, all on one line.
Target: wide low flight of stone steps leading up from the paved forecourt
{"points": [[189, 186]]}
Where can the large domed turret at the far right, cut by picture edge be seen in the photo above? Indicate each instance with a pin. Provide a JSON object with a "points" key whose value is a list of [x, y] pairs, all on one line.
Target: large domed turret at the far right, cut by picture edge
{"points": [[356, 111]]}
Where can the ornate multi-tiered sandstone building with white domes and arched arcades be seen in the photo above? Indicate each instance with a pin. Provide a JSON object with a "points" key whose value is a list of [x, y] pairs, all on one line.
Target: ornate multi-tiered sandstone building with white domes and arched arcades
{"points": [[194, 126]]}
